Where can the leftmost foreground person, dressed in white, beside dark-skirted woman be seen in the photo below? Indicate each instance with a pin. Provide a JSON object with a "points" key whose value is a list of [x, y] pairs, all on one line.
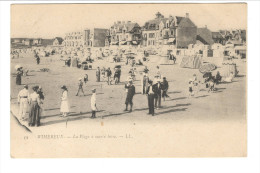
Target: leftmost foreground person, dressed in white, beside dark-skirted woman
{"points": [[23, 100]]}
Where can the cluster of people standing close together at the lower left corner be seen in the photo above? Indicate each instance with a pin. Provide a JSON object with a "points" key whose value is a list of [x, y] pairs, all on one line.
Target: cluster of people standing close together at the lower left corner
{"points": [[35, 103]]}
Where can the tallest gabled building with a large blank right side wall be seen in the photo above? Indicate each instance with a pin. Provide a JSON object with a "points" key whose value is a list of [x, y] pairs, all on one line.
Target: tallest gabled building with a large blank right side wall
{"points": [[175, 30]]}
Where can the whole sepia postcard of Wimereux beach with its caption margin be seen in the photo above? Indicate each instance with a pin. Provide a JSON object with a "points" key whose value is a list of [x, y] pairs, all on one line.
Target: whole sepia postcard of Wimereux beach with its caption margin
{"points": [[144, 80]]}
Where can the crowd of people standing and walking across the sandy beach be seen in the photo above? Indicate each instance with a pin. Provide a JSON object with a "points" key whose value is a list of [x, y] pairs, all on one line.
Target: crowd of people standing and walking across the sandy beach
{"points": [[155, 87]]}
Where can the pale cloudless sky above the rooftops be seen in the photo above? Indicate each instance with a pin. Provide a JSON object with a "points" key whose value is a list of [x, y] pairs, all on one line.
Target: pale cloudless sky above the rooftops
{"points": [[53, 20]]}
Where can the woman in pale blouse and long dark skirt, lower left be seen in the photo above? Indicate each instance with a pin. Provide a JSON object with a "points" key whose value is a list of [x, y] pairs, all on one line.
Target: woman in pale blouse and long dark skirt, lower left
{"points": [[34, 113]]}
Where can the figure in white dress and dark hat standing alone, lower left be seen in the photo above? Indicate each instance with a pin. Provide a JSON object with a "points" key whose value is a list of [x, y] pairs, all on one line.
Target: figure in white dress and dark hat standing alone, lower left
{"points": [[64, 108]]}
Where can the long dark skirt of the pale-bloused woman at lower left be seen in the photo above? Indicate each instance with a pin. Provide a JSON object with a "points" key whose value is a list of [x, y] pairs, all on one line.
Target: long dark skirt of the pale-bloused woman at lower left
{"points": [[34, 114]]}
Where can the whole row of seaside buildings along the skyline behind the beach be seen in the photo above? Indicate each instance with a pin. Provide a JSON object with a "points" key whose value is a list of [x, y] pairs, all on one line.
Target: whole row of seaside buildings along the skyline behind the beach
{"points": [[177, 31]]}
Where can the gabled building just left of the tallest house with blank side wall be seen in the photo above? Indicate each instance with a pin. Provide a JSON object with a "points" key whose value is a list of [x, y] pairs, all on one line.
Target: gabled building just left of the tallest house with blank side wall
{"points": [[124, 33]]}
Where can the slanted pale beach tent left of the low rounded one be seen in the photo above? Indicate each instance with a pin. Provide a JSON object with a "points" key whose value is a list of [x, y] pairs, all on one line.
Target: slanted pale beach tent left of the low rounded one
{"points": [[191, 62]]}
